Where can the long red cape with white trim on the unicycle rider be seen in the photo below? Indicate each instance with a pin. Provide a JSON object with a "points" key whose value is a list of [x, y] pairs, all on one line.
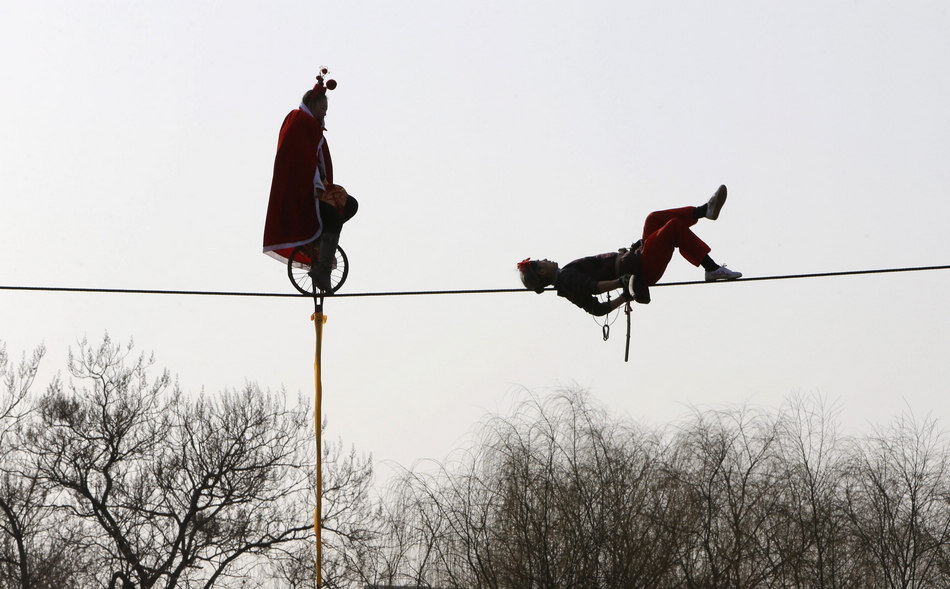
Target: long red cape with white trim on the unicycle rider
{"points": [[293, 217]]}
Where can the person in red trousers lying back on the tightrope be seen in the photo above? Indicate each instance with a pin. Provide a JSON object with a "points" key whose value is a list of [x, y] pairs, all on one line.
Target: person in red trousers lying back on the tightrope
{"points": [[632, 270]]}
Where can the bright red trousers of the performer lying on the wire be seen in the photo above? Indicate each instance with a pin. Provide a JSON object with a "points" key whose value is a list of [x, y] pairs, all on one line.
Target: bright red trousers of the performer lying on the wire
{"points": [[664, 231]]}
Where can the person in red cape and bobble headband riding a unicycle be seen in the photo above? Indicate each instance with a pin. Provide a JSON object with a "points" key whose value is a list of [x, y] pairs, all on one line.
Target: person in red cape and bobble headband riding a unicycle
{"points": [[305, 204]]}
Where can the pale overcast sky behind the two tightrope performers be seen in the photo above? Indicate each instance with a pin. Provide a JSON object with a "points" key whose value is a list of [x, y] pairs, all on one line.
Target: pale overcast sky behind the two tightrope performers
{"points": [[138, 145]]}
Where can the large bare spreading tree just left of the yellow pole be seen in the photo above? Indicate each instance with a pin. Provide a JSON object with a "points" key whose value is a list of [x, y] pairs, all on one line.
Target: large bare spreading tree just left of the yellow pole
{"points": [[182, 491]]}
